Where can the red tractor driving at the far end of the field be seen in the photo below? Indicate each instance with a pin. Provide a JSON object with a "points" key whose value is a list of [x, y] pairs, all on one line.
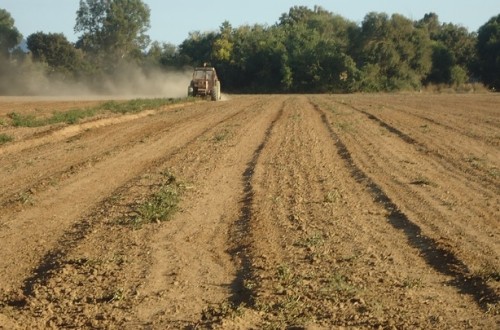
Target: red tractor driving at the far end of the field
{"points": [[205, 83]]}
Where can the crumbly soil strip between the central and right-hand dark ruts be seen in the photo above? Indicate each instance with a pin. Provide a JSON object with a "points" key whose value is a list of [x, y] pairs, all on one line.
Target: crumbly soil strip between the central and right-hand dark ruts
{"points": [[328, 246]]}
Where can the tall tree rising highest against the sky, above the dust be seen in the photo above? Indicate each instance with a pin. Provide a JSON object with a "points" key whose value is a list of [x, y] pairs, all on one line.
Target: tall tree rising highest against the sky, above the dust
{"points": [[113, 30]]}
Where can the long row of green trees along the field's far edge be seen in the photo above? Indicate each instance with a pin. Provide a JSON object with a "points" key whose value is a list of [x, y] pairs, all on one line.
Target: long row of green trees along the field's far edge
{"points": [[306, 50]]}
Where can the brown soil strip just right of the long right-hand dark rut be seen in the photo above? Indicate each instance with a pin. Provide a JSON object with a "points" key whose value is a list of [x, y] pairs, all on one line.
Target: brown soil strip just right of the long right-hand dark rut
{"points": [[431, 182]]}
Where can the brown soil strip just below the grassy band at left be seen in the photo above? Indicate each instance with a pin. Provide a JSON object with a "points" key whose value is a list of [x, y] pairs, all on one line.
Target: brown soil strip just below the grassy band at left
{"points": [[41, 166]]}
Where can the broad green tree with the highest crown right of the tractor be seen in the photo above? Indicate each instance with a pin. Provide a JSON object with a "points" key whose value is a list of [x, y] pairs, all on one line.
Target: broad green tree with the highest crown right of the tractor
{"points": [[317, 44]]}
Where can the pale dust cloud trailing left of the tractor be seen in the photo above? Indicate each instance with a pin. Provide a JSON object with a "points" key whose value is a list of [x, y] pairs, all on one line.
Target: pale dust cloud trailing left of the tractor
{"points": [[127, 82]]}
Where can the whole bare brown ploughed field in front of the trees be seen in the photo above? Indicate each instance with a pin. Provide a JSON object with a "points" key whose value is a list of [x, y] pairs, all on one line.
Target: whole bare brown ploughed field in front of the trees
{"points": [[297, 211]]}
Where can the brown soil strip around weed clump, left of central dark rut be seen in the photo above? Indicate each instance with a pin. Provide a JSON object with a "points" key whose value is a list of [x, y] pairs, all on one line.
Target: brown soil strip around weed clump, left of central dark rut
{"points": [[144, 281]]}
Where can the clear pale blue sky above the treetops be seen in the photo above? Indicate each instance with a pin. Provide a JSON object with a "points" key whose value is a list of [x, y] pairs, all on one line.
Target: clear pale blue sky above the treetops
{"points": [[172, 20]]}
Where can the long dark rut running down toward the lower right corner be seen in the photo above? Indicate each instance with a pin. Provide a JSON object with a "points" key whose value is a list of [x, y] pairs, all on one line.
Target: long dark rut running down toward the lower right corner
{"points": [[438, 257]]}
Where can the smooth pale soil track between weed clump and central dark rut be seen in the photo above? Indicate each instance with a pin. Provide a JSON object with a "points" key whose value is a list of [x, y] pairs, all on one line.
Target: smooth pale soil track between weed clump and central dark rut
{"points": [[203, 258]]}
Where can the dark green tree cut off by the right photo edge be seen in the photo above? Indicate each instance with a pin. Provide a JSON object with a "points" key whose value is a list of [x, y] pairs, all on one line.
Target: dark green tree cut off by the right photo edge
{"points": [[488, 48]]}
